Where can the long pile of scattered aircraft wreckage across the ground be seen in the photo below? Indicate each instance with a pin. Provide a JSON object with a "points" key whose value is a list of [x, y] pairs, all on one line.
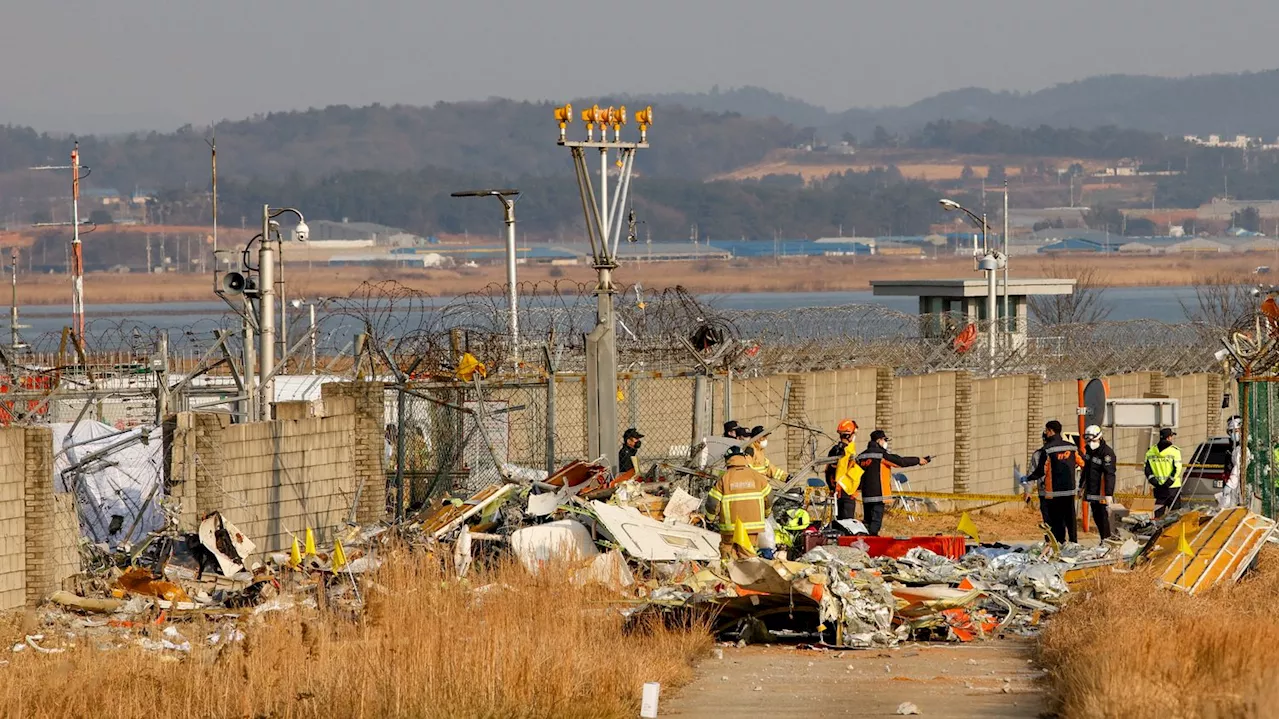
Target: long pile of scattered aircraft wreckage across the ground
{"points": [[644, 543]]}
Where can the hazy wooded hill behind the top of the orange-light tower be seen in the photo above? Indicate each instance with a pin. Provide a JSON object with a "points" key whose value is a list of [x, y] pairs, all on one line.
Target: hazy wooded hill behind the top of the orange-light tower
{"points": [[495, 138]]}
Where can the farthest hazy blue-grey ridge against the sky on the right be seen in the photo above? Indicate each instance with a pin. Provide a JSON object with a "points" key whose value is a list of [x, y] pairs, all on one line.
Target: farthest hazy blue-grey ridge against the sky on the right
{"points": [[1223, 104]]}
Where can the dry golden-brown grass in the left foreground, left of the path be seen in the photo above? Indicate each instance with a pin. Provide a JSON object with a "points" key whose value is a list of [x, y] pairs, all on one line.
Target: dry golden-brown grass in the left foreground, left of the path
{"points": [[427, 647]]}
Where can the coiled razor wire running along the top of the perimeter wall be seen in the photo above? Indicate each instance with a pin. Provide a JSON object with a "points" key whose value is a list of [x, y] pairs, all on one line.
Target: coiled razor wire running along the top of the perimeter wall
{"points": [[662, 331]]}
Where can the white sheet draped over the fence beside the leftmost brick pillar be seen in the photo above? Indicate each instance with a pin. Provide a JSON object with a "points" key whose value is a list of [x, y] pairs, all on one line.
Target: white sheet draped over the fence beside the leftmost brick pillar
{"points": [[120, 483]]}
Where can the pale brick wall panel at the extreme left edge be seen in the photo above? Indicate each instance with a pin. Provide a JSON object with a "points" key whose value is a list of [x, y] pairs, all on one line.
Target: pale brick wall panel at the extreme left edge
{"points": [[13, 526]]}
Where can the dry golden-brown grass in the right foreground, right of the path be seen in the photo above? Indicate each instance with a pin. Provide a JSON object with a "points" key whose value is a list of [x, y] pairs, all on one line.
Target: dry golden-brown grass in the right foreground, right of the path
{"points": [[1124, 648]]}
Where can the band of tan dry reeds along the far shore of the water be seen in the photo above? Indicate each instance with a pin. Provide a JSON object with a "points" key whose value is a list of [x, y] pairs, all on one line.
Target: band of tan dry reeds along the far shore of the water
{"points": [[807, 274]]}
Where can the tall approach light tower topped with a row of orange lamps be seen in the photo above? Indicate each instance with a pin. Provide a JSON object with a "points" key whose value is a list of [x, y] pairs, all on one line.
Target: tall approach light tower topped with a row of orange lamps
{"points": [[604, 231]]}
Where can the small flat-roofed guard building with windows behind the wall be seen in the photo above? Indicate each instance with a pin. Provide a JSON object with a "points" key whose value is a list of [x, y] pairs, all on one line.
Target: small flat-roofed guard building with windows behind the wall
{"points": [[948, 306]]}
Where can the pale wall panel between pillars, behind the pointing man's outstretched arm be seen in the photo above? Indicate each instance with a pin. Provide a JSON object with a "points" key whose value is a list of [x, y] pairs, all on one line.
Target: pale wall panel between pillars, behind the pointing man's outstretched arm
{"points": [[925, 424]]}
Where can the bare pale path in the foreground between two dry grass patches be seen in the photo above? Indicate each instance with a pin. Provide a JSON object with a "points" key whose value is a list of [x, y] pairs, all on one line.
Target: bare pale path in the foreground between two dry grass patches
{"points": [[949, 681]]}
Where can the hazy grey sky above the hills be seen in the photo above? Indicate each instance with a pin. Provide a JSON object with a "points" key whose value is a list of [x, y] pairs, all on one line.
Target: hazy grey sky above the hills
{"points": [[89, 66]]}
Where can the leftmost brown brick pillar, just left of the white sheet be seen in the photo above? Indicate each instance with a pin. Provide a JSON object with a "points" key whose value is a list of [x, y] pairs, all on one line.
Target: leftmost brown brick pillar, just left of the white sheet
{"points": [[40, 510]]}
